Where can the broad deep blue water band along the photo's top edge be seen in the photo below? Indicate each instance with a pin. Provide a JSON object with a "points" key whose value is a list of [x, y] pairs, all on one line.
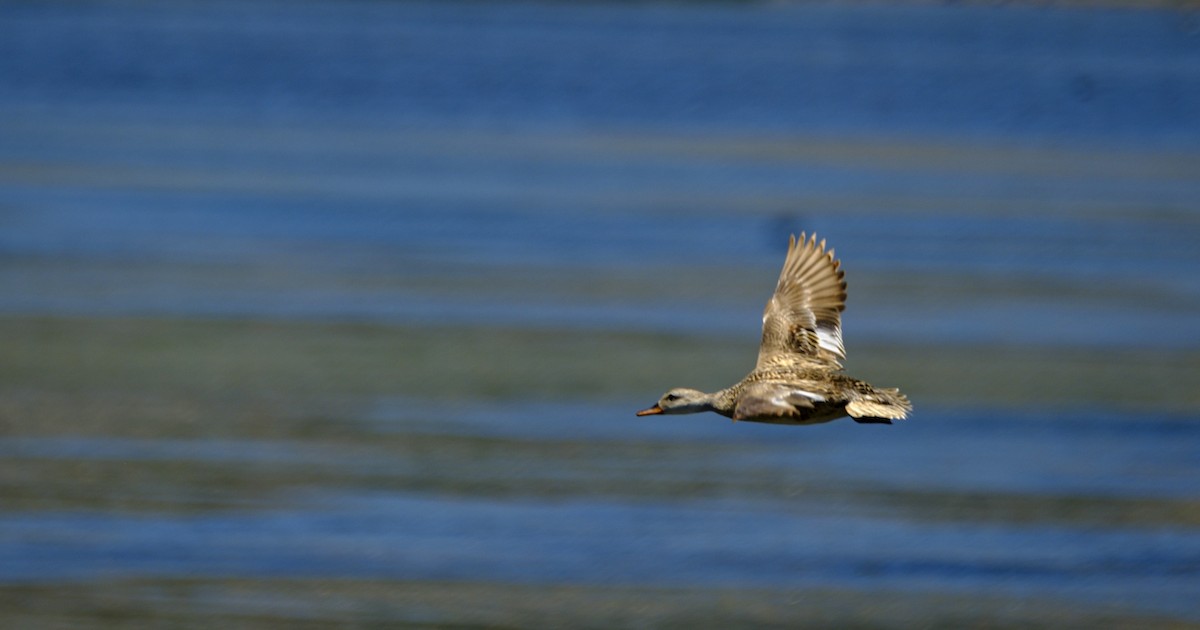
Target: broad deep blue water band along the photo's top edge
{"points": [[1025, 71]]}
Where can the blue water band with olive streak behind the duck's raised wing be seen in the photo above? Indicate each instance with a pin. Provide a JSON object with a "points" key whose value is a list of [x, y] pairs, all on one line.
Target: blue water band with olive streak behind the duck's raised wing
{"points": [[1132, 274]]}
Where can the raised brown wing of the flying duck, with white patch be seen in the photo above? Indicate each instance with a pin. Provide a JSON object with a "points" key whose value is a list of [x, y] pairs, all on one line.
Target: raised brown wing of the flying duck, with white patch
{"points": [[803, 319]]}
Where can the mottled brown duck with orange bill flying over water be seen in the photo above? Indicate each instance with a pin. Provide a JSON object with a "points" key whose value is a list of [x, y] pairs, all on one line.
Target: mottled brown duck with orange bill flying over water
{"points": [[799, 379]]}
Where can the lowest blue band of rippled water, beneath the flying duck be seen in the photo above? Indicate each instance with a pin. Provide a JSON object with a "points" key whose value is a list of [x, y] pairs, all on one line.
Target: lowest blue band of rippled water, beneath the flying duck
{"points": [[417, 538]]}
